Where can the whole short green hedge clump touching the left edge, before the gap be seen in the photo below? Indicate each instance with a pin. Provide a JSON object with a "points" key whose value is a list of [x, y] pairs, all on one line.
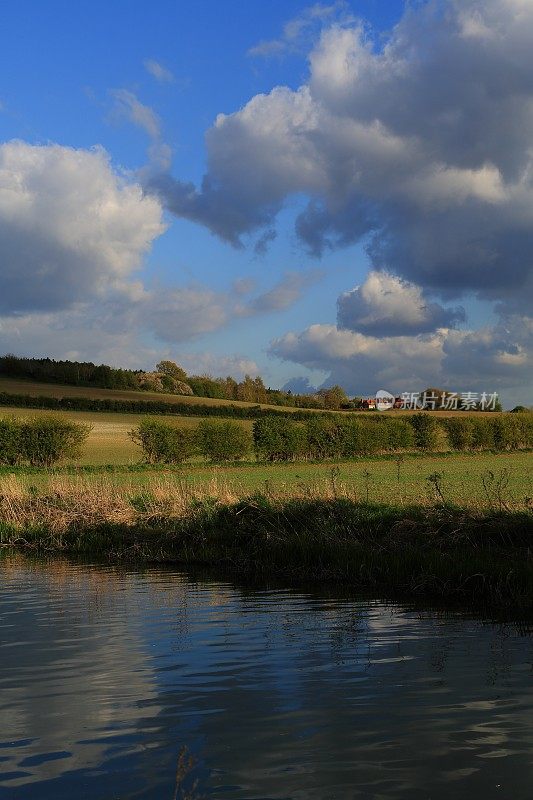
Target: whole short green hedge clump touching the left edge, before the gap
{"points": [[40, 442]]}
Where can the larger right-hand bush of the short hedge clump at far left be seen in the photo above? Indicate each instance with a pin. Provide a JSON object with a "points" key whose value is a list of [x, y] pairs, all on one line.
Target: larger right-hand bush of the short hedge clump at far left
{"points": [[46, 440]]}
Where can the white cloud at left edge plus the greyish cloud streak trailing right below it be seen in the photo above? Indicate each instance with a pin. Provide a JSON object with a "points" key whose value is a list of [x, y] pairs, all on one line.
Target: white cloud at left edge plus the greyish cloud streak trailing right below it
{"points": [[73, 235]]}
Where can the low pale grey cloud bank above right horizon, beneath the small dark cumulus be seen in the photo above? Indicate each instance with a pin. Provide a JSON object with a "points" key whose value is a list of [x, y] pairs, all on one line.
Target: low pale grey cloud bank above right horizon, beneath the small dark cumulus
{"points": [[498, 358]]}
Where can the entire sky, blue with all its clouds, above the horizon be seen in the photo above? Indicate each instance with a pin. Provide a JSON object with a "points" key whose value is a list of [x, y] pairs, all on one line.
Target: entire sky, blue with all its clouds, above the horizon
{"points": [[324, 193]]}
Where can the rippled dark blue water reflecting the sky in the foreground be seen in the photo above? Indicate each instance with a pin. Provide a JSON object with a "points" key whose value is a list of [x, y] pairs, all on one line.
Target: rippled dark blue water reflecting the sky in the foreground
{"points": [[118, 684]]}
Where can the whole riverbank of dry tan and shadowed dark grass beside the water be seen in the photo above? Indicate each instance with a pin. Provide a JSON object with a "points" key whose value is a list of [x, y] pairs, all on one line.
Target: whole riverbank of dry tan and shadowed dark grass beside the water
{"points": [[478, 553]]}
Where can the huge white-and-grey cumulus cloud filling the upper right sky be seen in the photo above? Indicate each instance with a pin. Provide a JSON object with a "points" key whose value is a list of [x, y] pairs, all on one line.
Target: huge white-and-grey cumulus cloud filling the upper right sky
{"points": [[420, 144]]}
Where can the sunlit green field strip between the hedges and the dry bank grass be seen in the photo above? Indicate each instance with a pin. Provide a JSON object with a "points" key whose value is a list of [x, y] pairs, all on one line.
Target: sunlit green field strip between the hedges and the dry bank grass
{"points": [[463, 478]]}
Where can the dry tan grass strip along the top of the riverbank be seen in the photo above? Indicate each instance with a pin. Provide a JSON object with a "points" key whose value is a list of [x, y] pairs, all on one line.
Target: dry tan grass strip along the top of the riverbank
{"points": [[64, 502]]}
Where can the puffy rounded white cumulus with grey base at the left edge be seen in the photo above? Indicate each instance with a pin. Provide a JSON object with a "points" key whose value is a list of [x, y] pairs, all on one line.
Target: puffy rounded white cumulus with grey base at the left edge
{"points": [[71, 228]]}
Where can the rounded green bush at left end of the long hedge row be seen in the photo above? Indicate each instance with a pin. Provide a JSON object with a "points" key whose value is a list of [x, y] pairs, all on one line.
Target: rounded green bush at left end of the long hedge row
{"points": [[162, 443]]}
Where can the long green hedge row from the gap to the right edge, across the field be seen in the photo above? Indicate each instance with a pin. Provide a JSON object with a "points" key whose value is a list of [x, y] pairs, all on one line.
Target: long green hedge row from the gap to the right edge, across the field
{"points": [[280, 438]]}
